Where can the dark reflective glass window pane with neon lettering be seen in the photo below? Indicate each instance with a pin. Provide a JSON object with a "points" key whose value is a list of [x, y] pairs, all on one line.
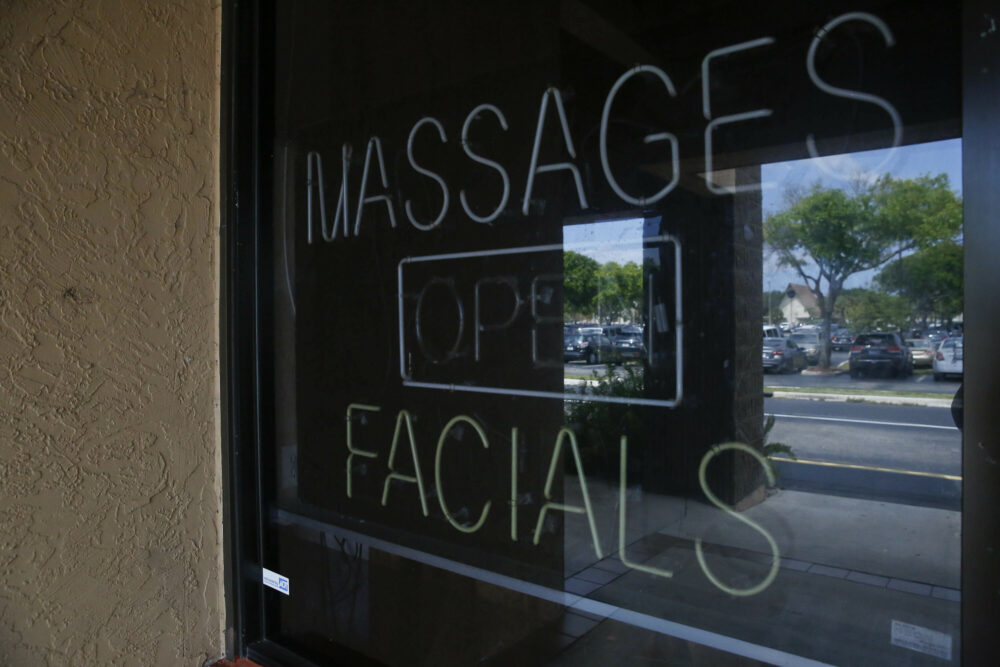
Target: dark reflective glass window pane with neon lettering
{"points": [[454, 187]]}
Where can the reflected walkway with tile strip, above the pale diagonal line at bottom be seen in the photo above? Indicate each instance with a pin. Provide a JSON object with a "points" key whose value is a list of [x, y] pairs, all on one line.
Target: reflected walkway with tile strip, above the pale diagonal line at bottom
{"points": [[849, 569]]}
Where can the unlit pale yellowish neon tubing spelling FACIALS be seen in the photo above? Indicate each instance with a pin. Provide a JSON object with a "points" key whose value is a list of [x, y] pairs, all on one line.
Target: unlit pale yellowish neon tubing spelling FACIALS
{"points": [[565, 439]]}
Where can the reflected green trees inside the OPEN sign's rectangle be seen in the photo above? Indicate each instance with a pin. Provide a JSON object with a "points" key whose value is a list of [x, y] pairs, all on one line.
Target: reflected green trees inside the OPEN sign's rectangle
{"points": [[603, 292]]}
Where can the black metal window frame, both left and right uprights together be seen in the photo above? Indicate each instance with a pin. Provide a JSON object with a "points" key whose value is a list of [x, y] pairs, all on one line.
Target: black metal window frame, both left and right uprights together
{"points": [[246, 311]]}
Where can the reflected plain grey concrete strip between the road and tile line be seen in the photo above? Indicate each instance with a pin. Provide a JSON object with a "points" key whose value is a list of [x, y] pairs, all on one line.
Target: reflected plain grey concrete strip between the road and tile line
{"points": [[883, 539]]}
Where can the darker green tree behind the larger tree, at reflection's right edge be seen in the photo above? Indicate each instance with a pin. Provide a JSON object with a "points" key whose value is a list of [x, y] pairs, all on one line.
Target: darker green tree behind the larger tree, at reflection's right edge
{"points": [[929, 280]]}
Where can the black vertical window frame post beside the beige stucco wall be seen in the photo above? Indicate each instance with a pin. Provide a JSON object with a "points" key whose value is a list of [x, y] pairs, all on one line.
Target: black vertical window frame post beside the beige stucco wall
{"points": [[239, 353]]}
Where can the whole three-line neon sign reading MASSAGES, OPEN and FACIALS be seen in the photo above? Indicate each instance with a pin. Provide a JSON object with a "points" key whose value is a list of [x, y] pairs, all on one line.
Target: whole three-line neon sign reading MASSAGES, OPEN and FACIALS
{"points": [[468, 344]]}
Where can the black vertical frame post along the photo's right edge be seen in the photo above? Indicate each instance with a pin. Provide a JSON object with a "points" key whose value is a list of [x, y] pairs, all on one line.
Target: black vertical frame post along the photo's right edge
{"points": [[981, 450]]}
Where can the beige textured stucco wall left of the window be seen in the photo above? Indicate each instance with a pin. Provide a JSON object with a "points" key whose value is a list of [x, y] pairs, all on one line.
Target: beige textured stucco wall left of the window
{"points": [[110, 531]]}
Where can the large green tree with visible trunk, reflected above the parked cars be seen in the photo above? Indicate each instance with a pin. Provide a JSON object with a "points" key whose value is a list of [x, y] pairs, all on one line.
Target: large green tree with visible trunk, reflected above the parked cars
{"points": [[828, 235]]}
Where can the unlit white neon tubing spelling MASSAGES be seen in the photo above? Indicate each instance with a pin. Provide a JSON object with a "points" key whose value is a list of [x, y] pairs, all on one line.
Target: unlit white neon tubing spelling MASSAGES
{"points": [[375, 187]]}
